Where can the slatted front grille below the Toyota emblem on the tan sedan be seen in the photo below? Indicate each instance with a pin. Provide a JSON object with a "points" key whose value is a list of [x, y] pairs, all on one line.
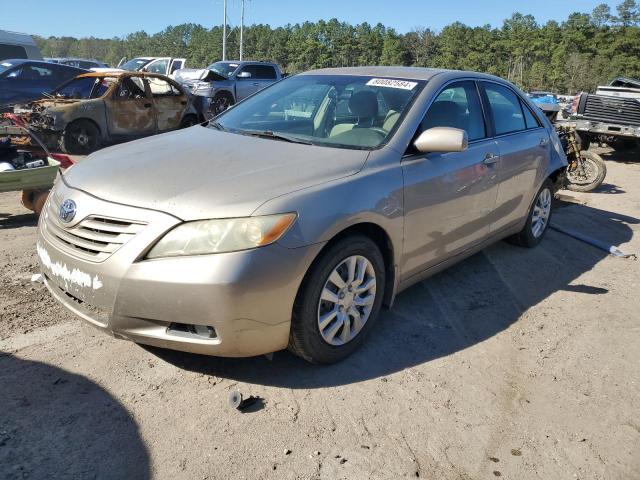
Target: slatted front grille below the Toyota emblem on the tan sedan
{"points": [[95, 238]]}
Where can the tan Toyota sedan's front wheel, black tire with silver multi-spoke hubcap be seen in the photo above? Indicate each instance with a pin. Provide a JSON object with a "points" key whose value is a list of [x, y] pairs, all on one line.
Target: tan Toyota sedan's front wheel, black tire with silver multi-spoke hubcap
{"points": [[306, 339]]}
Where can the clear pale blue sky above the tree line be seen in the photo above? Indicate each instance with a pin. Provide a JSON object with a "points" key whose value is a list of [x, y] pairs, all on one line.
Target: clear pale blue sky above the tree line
{"points": [[83, 18]]}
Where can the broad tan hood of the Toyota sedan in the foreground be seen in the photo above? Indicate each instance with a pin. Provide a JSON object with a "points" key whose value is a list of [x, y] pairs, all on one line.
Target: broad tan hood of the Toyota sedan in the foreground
{"points": [[199, 172]]}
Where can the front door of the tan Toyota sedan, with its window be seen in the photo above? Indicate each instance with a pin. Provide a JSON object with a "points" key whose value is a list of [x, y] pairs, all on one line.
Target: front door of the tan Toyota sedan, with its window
{"points": [[449, 198]]}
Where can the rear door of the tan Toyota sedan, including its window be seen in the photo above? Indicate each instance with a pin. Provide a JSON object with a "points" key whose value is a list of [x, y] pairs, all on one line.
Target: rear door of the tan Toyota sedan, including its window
{"points": [[524, 150]]}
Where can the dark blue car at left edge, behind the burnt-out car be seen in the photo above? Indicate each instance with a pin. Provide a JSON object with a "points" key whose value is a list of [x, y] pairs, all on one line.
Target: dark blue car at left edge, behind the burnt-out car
{"points": [[25, 80]]}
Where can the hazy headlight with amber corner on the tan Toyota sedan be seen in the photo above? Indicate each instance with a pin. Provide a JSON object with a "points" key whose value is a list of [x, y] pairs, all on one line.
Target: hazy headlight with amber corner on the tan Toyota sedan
{"points": [[223, 235]]}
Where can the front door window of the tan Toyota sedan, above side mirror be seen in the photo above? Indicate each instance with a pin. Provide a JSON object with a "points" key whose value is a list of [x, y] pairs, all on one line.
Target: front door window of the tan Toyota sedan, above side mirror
{"points": [[457, 106]]}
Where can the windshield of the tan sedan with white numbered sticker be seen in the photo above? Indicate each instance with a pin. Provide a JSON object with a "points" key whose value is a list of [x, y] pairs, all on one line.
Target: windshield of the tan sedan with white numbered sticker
{"points": [[333, 110]]}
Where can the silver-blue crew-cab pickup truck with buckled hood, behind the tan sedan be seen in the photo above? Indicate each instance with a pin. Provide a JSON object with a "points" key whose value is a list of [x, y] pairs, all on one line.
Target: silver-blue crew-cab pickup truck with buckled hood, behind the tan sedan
{"points": [[222, 84]]}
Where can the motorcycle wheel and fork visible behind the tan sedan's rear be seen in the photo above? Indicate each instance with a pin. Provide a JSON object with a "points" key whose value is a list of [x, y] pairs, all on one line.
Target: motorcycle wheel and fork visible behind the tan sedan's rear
{"points": [[586, 170]]}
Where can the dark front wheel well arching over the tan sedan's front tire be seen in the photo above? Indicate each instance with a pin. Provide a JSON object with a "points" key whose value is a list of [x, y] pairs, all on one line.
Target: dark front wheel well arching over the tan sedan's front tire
{"points": [[380, 237]]}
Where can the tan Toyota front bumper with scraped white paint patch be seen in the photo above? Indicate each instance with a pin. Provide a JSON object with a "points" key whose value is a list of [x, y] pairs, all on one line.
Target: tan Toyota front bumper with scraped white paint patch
{"points": [[247, 297]]}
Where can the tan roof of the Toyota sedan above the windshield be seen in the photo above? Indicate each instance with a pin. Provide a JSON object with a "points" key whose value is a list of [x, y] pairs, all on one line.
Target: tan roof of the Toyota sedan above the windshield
{"points": [[410, 73]]}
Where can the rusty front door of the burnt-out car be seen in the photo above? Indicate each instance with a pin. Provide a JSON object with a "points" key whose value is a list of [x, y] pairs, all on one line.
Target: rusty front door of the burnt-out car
{"points": [[130, 110]]}
